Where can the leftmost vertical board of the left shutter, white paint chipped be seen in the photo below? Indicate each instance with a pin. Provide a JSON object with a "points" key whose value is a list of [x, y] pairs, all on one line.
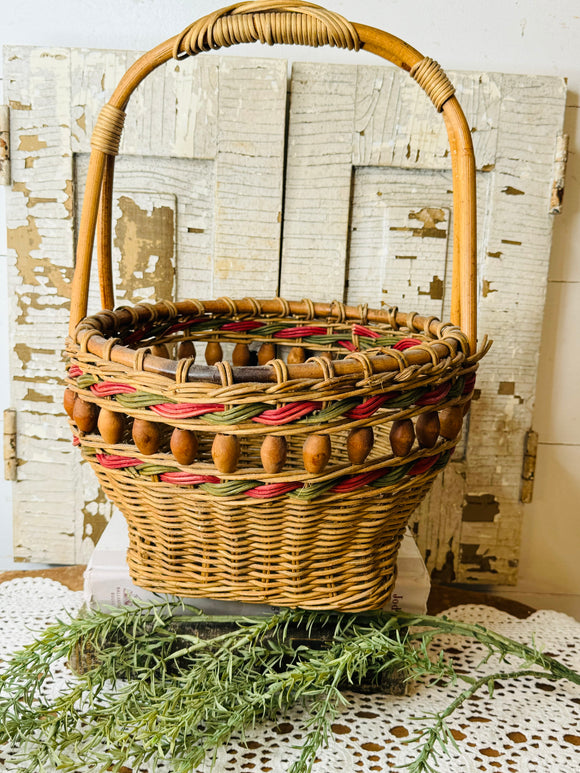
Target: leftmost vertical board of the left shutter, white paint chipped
{"points": [[40, 242]]}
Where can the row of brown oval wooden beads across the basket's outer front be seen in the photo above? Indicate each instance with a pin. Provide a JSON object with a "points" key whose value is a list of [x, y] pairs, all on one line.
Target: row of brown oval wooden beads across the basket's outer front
{"points": [[225, 450]]}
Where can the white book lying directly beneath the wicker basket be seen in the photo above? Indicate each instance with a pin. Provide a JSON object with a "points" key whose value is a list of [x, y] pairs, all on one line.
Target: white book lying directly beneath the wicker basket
{"points": [[107, 579]]}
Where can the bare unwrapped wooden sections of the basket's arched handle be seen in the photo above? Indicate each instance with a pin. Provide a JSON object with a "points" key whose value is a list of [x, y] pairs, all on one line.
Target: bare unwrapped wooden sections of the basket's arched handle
{"points": [[98, 192]]}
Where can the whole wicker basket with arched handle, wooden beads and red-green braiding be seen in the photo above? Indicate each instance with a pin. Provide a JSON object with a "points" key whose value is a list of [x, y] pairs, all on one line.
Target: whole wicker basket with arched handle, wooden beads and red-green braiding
{"points": [[289, 481]]}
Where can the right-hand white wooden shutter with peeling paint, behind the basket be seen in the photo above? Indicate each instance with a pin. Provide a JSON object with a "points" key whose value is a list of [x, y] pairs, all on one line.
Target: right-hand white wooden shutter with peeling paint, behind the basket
{"points": [[368, 217]]}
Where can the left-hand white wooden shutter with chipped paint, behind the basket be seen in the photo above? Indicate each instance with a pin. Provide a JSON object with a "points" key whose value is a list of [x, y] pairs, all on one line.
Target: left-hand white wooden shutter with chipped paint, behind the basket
{"points": [[198, 191]]}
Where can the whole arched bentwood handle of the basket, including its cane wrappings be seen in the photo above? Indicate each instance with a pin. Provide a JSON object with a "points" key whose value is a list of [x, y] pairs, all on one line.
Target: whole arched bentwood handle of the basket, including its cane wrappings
{"points": [[276, 22]]}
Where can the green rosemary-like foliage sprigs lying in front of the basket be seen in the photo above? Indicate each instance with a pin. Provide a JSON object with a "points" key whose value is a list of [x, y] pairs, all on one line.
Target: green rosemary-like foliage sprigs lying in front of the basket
{"points": [[154, 693]]}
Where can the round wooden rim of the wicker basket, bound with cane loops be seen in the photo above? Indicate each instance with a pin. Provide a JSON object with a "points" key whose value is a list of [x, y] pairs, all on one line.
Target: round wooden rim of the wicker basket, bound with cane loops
{"points": [[96, 334]]}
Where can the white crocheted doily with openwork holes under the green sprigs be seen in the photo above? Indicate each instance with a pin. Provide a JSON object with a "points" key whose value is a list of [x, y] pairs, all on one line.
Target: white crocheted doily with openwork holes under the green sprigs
{"points": [[529, 725]]}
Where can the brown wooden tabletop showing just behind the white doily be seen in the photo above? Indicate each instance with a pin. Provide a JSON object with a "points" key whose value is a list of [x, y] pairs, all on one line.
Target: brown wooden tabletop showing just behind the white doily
{"points": [[441, 597]]}
